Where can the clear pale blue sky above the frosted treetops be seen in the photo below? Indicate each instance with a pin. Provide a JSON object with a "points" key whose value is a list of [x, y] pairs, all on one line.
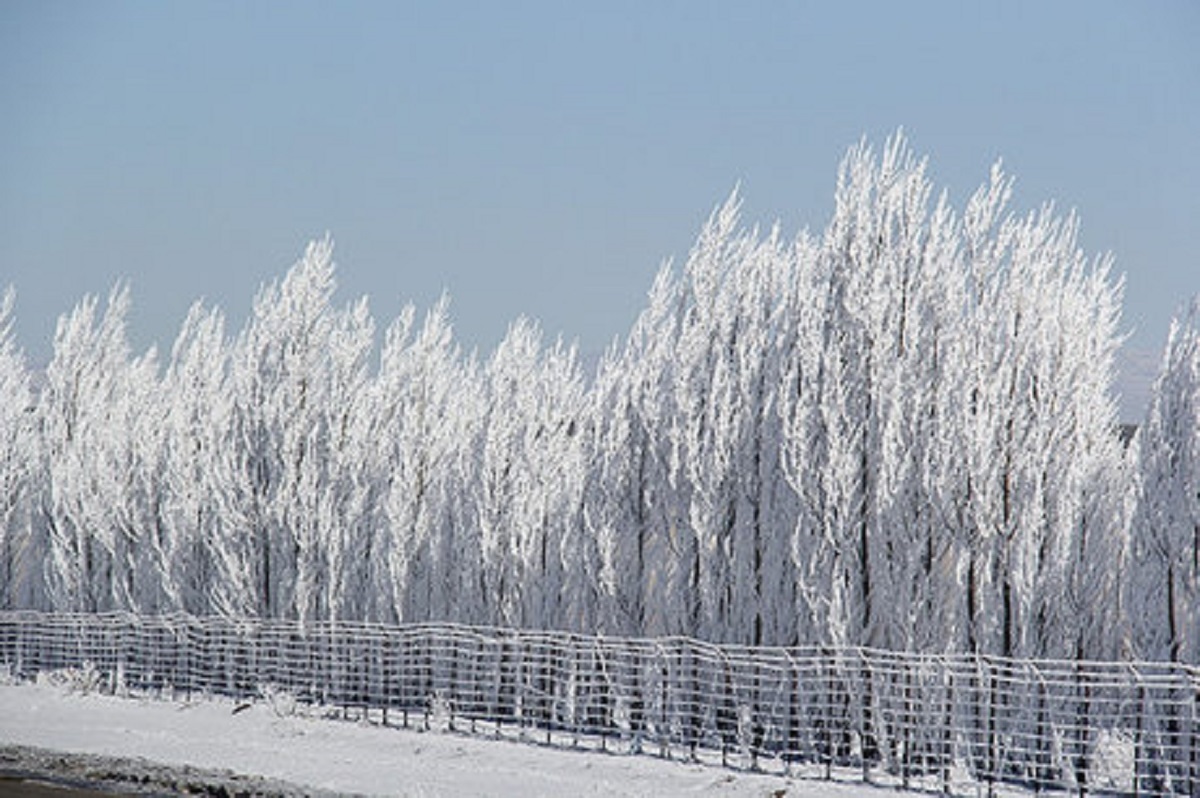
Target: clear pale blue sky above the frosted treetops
{"points": [[543, 159]]}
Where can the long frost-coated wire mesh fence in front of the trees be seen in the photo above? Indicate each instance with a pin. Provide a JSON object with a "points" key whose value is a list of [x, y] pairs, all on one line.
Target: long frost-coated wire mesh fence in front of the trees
{"points": [[947, 724]]}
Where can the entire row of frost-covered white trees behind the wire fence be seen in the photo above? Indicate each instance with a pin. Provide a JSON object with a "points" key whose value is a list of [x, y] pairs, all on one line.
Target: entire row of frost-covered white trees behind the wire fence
{"points": [[899, 433]]}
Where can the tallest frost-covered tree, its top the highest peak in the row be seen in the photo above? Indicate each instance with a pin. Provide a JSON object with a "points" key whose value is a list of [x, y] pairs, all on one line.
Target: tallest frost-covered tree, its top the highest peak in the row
{"points": [[891, 314]]}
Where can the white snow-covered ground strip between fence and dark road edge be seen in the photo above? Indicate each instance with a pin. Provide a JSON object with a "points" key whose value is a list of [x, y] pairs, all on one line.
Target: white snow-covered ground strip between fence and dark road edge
{"points": [[290, 745]]}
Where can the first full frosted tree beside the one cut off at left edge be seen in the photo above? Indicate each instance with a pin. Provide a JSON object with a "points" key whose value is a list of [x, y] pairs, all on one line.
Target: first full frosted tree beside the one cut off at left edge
{"points": [[98, 497]]}
